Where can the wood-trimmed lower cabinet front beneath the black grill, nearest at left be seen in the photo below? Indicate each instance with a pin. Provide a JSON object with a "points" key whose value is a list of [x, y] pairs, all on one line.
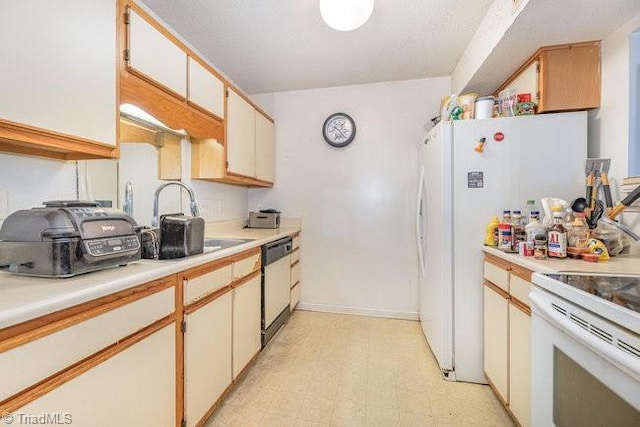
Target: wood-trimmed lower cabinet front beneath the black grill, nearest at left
{"points": [[123, 368]]}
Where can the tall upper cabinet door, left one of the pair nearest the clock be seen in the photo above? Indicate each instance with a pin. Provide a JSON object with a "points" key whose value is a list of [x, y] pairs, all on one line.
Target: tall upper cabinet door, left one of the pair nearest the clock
{"points": [[241, 136]]}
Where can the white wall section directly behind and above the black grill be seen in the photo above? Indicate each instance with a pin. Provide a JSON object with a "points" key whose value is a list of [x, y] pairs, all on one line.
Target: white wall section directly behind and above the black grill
{"points": [[29, 181]]}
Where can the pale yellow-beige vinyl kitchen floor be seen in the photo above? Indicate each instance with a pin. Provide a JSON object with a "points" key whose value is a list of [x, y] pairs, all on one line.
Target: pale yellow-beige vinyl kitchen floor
{"points": [[339, 370]]}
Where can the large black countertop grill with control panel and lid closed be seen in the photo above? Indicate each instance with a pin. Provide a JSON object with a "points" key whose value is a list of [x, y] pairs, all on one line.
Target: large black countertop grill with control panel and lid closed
{"points": [[66, 238]]}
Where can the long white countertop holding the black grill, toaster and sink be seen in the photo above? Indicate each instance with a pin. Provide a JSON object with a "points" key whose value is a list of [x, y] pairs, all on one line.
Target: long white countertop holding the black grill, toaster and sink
{"points": [[24, 298]]}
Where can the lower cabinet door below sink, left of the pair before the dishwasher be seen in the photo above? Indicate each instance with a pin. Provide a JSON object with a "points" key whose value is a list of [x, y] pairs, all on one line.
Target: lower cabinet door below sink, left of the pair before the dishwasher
{"points": [[207, 357]]}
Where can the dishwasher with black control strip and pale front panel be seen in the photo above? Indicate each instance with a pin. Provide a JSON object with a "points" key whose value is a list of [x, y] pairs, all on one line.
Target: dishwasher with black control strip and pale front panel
{"points": [[276, 286]]}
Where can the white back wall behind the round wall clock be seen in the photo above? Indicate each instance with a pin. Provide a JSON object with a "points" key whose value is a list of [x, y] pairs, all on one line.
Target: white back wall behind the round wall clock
{"points": [[357, 203]]}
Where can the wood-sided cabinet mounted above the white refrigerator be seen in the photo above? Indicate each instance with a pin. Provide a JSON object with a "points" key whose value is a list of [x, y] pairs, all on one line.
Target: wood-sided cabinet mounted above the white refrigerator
{"points": [[560, 78]]}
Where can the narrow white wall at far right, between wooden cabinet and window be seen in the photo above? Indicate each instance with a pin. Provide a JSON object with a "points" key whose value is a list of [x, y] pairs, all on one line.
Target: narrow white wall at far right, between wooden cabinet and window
{"points": [[609, 125]]}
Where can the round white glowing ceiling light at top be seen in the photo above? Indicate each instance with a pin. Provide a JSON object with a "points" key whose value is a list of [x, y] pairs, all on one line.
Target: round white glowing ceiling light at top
{"points": [[346, 15]]}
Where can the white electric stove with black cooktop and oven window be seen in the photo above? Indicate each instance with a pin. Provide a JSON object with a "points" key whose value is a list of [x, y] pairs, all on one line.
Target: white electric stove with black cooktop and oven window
{"points": [[585, 350]]}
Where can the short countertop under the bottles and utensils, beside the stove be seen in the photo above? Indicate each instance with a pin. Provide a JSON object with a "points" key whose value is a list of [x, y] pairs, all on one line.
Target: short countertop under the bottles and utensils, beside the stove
{"points": [[618, 265]]}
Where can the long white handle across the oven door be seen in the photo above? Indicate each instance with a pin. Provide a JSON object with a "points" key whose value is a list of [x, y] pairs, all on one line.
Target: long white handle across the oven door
{"points": [[624, 361]]}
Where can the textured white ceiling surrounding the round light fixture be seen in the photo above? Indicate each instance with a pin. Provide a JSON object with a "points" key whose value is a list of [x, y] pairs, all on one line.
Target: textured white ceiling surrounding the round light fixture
{"points": [[276, 45]]}
